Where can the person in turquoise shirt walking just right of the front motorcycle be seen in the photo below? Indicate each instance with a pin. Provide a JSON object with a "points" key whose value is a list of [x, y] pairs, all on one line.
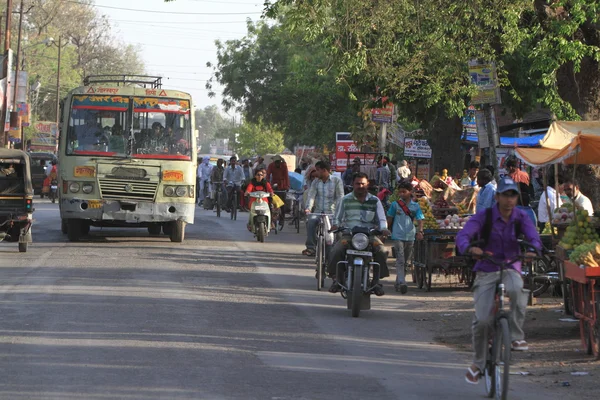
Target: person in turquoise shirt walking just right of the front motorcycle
{"points": [[401, 216]]}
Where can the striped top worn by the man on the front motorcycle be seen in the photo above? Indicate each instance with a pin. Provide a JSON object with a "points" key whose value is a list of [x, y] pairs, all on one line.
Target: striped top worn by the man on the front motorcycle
{"points": [[351, 213]]}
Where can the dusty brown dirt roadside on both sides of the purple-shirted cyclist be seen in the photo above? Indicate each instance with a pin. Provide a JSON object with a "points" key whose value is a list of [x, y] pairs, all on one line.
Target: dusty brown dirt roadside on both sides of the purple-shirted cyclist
{"points": [[555, 348]]}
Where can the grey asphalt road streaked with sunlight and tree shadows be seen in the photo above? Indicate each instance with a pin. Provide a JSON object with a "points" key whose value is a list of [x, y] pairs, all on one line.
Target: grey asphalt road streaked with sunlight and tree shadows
{"points": [[127, 316]]}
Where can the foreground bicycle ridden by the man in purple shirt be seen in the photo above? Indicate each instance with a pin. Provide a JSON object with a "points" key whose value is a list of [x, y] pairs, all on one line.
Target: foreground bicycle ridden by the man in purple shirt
{"points": [[497, 367]]}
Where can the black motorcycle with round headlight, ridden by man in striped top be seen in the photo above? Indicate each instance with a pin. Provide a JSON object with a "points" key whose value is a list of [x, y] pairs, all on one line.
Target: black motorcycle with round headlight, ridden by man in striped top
{"points": [[358, 282]]}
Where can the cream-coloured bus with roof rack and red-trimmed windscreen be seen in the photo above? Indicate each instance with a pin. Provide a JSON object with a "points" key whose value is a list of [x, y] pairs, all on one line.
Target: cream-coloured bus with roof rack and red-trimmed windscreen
{"points": [[127, 157]]}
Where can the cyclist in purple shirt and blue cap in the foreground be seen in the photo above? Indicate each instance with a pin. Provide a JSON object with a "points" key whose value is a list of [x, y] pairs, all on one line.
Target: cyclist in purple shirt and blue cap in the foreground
{"points": [[502, 224]]}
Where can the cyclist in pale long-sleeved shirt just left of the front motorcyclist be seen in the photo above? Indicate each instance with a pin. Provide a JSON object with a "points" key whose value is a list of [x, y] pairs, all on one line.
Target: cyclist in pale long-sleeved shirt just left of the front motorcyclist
{"points": [[323, 195]]}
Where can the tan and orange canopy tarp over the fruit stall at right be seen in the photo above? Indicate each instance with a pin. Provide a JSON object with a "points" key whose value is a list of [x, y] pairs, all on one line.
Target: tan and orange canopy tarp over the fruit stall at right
{"points": [[568, 141]]}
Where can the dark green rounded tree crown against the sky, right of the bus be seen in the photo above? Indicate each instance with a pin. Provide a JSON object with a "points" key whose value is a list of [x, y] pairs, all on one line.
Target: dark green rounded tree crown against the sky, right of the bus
{"points": [[271, 76]]}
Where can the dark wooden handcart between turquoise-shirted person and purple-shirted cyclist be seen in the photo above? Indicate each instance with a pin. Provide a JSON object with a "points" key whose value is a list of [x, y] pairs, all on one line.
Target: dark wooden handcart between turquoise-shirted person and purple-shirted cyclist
{"points": [[436, 254]]}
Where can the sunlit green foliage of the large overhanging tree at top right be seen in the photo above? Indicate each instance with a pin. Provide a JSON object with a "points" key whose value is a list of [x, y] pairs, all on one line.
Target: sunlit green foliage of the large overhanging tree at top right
{"points": [[417, 52]]}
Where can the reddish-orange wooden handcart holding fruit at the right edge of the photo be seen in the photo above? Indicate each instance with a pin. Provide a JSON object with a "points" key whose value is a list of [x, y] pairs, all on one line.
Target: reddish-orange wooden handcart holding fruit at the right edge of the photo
{"points": [[585, 292]]}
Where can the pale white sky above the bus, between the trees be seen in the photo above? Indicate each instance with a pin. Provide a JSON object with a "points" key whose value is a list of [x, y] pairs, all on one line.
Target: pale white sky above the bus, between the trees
{"points": [[177, 39]]}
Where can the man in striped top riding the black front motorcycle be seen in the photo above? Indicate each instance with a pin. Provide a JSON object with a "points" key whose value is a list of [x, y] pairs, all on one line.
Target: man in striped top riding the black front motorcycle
{"points": [[359, 208]]}
